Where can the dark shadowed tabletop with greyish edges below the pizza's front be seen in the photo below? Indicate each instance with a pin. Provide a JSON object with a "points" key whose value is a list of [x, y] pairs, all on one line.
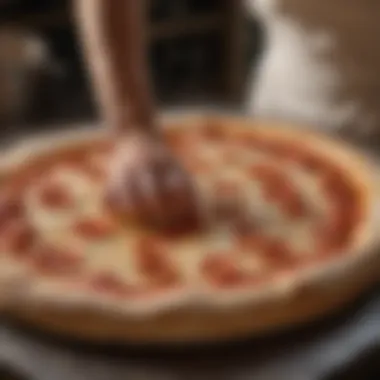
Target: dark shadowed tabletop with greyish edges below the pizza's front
{"points": [[308, 353]]}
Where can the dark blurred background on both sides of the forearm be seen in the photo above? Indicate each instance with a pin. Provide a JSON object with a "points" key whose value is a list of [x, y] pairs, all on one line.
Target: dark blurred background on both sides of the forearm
{"points": [[200, 51]]}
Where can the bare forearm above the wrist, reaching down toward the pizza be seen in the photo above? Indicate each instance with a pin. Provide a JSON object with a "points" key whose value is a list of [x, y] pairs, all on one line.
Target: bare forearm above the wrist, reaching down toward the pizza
{"points": [[113, 37]]}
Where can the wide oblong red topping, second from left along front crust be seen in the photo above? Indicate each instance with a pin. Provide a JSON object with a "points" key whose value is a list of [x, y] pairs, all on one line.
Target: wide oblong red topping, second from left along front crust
{"points": [[56, 261]]}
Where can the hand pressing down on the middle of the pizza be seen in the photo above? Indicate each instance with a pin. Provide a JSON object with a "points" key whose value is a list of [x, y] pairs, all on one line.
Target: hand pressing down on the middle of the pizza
{"points": [[148, 185]]}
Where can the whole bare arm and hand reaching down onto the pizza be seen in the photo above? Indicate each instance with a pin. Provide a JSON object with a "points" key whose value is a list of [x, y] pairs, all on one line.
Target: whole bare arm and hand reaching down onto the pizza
{"points": [[113, 39]]}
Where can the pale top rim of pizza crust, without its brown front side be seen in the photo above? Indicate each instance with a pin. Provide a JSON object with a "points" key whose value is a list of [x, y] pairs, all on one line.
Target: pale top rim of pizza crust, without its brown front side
{"points": [[17, 287]]}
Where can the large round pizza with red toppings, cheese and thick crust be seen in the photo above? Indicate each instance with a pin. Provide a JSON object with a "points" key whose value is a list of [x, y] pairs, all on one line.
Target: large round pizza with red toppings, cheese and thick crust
{"points": [[290, 235]]}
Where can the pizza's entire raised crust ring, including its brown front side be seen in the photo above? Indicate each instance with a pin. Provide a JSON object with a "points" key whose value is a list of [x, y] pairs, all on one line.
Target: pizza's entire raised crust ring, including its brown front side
{"points": [[198, 315]]}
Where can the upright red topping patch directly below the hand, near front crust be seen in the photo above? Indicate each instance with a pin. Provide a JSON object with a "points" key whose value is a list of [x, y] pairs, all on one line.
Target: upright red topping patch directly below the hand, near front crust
{"points": [[153, 262]]}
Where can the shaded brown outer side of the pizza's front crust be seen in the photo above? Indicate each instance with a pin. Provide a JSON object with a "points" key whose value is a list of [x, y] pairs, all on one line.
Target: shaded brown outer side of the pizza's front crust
{"points": [[196, 326]]}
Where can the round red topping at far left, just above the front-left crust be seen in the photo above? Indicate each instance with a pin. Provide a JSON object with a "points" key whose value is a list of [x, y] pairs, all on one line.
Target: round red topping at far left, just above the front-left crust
{"points": [[19, 238]]}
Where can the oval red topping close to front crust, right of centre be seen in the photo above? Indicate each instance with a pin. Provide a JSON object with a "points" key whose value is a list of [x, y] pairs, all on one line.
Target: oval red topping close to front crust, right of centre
{"points": [[222, 271]]}
